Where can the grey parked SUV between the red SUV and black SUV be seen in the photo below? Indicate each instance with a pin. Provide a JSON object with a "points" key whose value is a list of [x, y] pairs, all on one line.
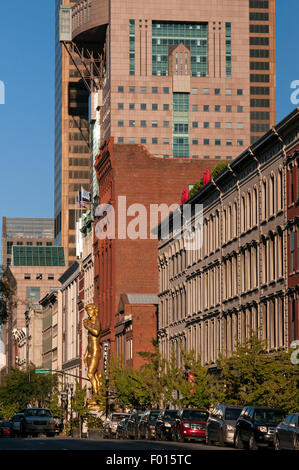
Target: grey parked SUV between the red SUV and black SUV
{"points": [[221, 424]]}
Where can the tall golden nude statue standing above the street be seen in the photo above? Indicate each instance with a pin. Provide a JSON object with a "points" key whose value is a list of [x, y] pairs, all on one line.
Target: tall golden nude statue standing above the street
{"points": [[92, 354]]}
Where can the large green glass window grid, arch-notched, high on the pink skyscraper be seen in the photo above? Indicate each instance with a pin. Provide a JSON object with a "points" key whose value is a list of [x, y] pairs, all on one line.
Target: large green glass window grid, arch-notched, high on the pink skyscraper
{"points": [[193, 35]]}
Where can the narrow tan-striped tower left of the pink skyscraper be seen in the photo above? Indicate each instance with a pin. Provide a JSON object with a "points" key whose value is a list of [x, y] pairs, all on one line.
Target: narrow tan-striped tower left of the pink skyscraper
{"points": [[72, 147]]}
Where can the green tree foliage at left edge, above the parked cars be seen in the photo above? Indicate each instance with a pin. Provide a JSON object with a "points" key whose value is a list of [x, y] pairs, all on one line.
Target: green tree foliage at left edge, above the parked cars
{"points": [[23, 388]]}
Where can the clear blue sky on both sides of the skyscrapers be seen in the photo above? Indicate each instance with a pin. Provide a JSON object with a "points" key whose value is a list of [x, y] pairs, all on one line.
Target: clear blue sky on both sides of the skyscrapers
{"points": [[27, 118]]}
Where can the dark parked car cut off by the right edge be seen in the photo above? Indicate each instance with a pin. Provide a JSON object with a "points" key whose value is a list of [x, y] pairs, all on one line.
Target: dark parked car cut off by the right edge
{"points": [[287, 433]]}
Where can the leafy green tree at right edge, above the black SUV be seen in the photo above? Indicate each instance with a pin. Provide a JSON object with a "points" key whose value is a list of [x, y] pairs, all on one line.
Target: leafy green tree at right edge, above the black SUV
{"points": [[253, 375]]}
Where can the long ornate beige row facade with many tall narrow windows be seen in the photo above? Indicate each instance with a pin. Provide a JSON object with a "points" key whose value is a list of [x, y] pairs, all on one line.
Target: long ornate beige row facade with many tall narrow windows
{"points": [[237, 278]]}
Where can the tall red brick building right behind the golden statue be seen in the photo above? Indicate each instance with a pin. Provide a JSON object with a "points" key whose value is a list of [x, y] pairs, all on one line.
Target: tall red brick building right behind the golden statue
{"points": [[125, 267]]}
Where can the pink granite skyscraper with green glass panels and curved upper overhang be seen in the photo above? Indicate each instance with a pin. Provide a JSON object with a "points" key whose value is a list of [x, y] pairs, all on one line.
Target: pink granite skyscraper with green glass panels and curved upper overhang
{"points": [[185, 79]]}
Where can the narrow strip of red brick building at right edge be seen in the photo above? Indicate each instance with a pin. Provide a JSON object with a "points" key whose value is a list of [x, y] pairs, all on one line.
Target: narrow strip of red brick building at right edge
{"points": [[293, 243]]}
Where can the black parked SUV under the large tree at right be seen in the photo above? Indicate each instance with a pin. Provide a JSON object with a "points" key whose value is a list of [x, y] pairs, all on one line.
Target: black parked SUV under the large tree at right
{"points": [[256, 427]]}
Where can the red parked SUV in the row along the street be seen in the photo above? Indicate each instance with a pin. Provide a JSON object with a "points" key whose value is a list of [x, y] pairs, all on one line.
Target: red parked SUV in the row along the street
{"points": [[190, 424]]}
